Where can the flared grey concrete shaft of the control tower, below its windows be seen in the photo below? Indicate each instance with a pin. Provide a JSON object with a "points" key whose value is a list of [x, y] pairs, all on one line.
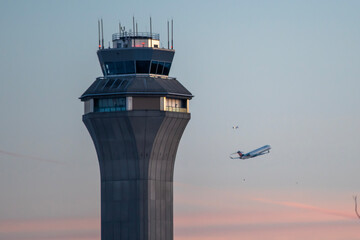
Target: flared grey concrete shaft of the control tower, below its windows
{"points": [[136, 152]]}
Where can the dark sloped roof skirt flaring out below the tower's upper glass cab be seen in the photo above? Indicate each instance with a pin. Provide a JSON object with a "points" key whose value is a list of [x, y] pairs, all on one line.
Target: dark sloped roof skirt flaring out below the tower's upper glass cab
{"points": [[136, 85]]}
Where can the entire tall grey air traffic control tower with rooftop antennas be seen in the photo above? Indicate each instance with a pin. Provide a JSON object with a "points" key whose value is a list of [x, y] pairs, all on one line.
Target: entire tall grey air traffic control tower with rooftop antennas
{"points": [[136, 115]]}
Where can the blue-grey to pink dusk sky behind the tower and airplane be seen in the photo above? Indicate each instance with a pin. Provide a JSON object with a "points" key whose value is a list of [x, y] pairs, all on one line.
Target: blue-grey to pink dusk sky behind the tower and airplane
{"points": [[286, 72]]}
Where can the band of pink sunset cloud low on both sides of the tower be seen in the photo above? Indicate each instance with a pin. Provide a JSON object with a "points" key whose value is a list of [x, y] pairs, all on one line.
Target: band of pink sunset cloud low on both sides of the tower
{"points": [[214, 215]]}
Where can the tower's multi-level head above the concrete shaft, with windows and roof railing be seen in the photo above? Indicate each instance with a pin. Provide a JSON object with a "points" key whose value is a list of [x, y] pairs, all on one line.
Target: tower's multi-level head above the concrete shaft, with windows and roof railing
{"points": [[136, 77]]}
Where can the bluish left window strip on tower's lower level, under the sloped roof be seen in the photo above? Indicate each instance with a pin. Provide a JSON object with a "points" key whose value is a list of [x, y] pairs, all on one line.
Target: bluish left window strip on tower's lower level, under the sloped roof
{"points": [[109, 104]]}
